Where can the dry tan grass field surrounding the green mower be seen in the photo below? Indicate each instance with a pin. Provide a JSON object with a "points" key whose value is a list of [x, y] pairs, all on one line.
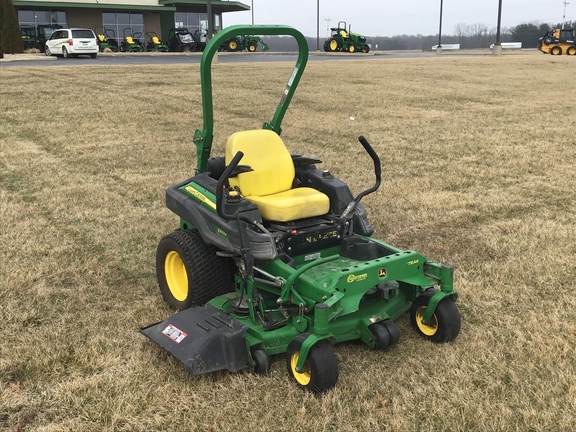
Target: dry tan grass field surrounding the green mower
{"points": [[478, 159]]}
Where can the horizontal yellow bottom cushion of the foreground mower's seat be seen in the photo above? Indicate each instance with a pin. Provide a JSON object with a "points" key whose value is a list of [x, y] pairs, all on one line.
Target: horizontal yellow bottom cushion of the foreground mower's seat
{"points": [[292, 204]]}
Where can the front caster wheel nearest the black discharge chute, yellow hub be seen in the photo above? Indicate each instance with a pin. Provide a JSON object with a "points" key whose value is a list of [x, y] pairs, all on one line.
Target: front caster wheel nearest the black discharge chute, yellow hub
{"points": [[320, 372]]}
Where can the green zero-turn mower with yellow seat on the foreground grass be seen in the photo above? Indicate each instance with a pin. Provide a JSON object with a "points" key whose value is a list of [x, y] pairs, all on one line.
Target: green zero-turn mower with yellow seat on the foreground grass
{"points": [[275, 256]]}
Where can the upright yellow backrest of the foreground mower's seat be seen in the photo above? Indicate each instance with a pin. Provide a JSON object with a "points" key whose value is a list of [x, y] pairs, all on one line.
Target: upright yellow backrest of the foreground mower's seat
{"points": [[264, 151]]}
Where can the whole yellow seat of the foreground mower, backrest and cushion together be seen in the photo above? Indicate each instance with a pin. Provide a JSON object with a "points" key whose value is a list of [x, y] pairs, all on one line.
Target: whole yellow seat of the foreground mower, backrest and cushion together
{"points": [[269, 185]]}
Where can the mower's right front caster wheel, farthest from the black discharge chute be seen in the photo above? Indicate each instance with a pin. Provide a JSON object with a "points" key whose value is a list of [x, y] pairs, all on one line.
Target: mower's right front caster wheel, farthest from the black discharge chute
{"points": [[443, 326]]}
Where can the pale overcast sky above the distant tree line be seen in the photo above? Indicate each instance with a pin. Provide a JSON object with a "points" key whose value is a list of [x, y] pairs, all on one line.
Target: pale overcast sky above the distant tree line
{"points": [[394, 17]]}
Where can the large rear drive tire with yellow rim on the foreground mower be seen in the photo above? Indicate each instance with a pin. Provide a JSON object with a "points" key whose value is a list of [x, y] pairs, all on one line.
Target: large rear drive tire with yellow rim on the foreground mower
{"points": [[189, 272]]}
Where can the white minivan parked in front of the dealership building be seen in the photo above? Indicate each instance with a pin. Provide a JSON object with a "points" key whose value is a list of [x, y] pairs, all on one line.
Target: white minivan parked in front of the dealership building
{"points": [[72, 42]]}
